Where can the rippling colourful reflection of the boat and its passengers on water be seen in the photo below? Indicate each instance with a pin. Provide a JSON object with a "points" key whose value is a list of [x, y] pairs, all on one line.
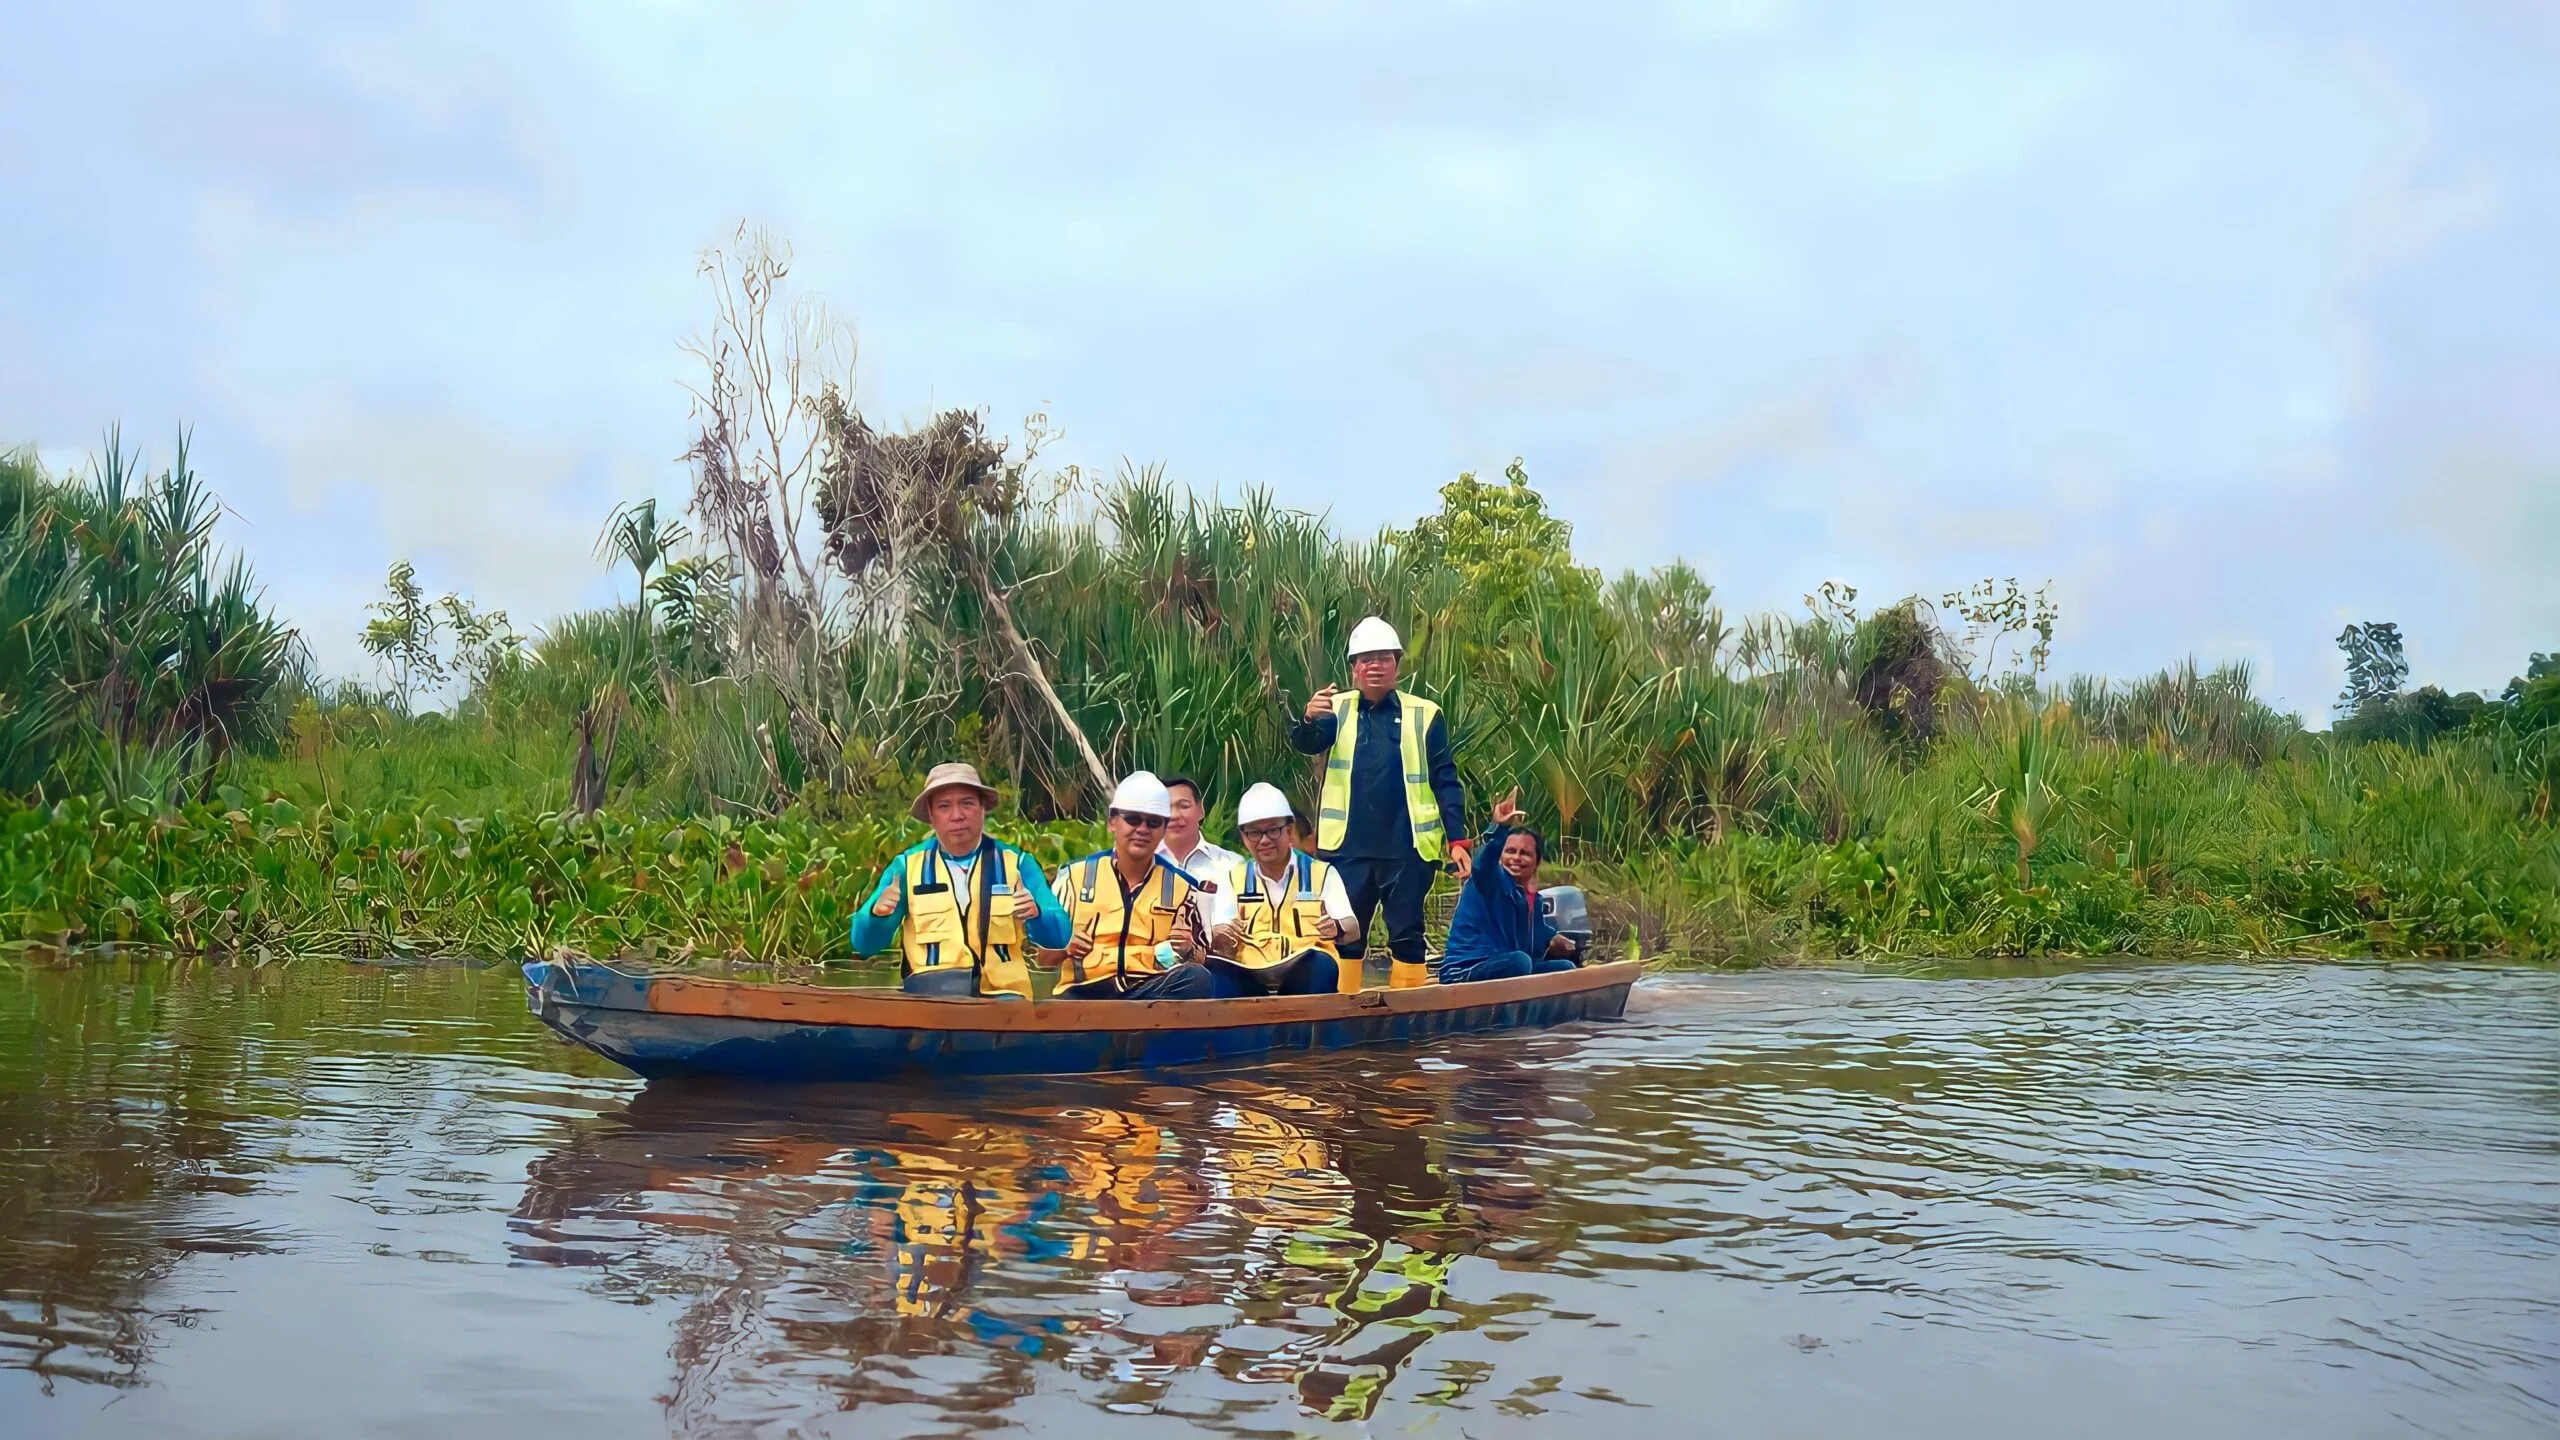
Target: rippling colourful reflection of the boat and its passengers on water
{"points": [[856, 1249]]}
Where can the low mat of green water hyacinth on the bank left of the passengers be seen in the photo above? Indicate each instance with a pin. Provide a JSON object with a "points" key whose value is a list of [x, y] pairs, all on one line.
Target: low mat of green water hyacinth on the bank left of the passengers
{"points": [[273, 878]]}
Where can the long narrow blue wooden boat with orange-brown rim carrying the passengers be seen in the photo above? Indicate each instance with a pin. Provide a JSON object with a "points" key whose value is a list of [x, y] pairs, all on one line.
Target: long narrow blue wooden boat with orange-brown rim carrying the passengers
{"points": [[667, 1024]]}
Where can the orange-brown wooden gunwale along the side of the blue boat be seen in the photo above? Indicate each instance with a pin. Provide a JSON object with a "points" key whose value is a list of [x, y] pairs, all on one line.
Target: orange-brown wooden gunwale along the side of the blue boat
{"points": [[854, 1008]]}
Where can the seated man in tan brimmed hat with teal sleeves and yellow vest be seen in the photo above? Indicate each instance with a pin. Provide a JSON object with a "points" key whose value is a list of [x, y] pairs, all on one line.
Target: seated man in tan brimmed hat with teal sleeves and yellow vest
{"points": [[969, 906]]}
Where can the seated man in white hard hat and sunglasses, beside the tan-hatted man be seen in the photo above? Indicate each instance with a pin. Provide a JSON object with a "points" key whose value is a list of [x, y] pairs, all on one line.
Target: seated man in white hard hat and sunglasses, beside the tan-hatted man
{"points": [[1133, 921]]}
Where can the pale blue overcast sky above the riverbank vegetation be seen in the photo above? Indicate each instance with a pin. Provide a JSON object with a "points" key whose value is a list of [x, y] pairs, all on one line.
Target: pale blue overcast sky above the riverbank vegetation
{"points": [[2234, 322]]}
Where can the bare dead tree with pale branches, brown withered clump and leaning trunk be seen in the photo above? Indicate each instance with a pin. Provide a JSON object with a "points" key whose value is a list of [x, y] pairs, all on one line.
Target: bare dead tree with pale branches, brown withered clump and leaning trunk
{"points": [[838, 534]]}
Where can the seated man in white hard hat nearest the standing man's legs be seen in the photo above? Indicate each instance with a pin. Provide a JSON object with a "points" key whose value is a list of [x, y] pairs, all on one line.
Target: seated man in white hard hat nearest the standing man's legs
{"points": [[1279, 916]]}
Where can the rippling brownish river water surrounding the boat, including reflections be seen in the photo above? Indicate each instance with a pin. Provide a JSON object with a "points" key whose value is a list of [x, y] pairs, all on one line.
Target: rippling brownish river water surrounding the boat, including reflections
{"points": [[2103, 1200]]}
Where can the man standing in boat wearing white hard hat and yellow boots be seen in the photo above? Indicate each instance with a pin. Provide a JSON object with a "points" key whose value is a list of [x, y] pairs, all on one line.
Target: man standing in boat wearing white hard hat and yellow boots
{"points": [[1391, 796]]}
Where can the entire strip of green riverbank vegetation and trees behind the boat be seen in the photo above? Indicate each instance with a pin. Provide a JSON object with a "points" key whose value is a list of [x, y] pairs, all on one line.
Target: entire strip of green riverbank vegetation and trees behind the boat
{"points": [[723, 762]]}
